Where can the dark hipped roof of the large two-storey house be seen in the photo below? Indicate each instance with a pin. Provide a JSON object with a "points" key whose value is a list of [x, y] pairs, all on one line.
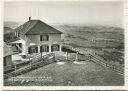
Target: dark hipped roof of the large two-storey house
{"points": [[36, 27]]}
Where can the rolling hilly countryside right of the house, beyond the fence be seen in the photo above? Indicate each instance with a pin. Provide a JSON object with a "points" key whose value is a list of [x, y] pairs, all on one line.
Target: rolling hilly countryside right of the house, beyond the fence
{"points": [[106, 42]]}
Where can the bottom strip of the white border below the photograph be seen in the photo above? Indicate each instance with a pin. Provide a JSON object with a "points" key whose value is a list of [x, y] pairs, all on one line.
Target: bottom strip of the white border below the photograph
{"points": [[66, 88]]}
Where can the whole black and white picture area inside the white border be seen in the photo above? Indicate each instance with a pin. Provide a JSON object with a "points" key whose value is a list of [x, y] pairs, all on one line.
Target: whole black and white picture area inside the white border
{"points": [[63, 43]]}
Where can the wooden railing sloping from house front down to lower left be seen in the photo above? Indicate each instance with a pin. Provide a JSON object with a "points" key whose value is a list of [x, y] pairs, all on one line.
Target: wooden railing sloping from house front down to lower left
{"points": [[36, 62]]}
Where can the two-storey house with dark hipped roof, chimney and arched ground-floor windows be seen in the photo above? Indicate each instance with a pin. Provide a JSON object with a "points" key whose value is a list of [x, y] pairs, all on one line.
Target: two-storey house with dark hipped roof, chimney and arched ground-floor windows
{"points": [[36, 36]]}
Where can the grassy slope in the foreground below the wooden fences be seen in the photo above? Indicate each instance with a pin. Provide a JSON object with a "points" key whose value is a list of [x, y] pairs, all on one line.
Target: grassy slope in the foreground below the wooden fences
{"points": [[84, 74]]}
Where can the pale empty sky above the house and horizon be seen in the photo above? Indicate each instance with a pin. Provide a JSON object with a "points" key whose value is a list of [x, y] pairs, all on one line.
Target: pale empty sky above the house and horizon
{"points": [[108, 13]]}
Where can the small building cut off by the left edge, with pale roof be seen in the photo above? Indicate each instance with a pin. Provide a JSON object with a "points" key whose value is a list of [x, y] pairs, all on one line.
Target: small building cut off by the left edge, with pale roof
{"points": [[7, 62]]}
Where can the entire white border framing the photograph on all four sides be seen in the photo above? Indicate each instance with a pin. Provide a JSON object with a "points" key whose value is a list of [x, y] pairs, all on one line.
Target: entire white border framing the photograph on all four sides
{"points": [[65, 87]]}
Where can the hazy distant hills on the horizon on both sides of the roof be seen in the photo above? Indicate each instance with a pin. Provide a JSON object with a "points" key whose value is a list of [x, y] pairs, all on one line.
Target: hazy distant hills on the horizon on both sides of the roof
{"points": [[69, 28]]}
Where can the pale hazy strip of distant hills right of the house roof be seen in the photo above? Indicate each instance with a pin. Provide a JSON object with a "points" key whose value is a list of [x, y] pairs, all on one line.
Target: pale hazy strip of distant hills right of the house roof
{"points": [[82, 28]]}
